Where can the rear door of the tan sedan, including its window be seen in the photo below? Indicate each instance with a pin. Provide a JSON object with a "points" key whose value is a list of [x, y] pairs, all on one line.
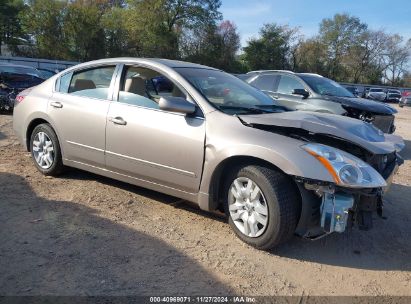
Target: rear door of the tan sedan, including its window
{"points": [[78, 110]]}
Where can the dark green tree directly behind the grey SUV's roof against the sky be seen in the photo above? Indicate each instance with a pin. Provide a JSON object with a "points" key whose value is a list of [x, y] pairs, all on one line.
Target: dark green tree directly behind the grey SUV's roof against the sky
{"points": [[273, 49]]}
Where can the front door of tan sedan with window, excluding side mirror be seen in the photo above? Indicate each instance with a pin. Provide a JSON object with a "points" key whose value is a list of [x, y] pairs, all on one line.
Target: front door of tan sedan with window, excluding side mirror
{"points": [[147, 143]]}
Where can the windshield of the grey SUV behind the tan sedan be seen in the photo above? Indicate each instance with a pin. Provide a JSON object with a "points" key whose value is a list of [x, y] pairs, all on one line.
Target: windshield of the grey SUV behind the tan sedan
{"points": [[325, 86]]}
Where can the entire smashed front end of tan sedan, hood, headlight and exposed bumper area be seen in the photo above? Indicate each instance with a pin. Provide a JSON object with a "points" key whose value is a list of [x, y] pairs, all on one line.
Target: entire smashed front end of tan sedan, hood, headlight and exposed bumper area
{"points": [[360, 158]]}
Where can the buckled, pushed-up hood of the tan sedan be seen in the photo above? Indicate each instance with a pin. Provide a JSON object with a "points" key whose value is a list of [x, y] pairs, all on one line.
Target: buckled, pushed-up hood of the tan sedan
{"points": [[350, 129]]}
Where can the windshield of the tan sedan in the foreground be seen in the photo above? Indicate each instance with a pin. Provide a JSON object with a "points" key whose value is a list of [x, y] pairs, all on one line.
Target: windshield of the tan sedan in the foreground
{"points": [[228, 93]]}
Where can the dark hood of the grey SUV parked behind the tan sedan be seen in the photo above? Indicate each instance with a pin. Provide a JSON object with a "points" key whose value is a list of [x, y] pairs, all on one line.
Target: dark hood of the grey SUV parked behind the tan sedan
{"points": [[364, 104]]}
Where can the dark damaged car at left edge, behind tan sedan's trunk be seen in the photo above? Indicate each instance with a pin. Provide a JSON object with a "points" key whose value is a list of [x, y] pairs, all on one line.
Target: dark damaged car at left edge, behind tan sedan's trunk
{"points": [[14, 79]]}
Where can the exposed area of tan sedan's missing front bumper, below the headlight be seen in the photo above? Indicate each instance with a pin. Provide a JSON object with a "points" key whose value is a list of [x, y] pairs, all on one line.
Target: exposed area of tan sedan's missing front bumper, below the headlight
{"points": [[327, 208]]}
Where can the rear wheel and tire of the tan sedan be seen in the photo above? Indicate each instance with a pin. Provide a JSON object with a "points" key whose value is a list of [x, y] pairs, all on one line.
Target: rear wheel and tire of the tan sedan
{"points": [[45, 150]]}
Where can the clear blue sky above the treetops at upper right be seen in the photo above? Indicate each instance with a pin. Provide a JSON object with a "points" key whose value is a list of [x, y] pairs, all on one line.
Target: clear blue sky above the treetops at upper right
{"points": [[393, 16]]}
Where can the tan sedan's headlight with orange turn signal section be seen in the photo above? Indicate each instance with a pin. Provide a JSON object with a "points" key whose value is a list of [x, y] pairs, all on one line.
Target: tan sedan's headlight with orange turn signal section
{"points": [[346, 169]]}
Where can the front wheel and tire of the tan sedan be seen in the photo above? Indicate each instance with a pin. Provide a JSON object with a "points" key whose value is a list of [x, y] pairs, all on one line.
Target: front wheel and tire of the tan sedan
{"points": [[278, 194]]}
